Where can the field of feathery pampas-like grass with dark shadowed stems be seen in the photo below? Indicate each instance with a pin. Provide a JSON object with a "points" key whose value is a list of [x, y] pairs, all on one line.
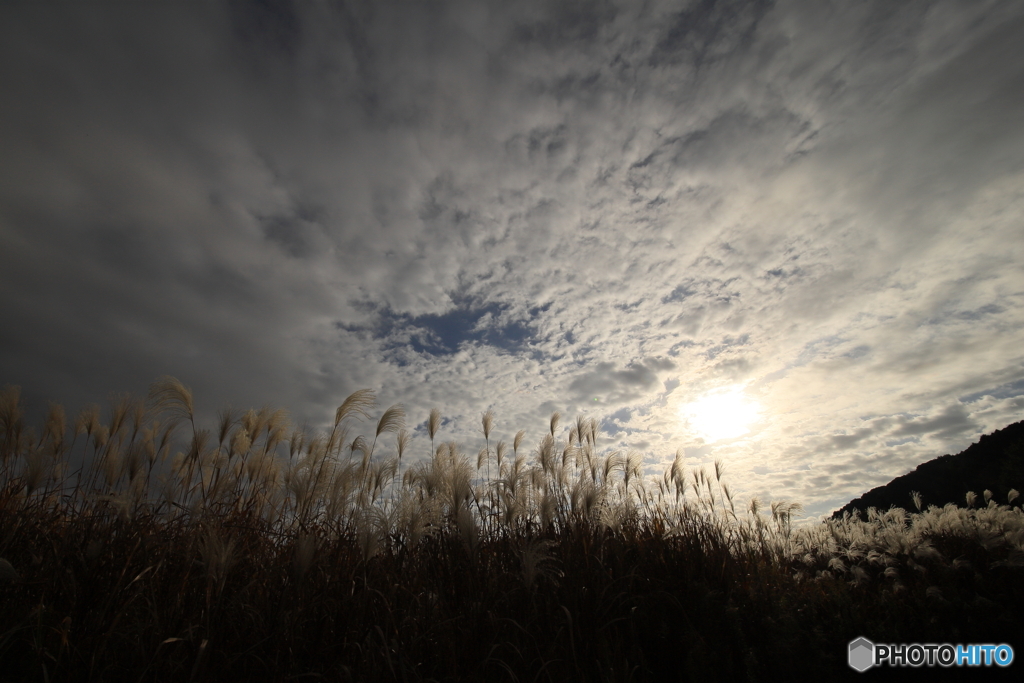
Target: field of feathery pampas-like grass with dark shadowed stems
{"points": [[259, 553]]}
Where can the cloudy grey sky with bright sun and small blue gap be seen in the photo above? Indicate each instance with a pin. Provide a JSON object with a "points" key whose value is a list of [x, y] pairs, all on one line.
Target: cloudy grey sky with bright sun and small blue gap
{"points": [[785, 235]]}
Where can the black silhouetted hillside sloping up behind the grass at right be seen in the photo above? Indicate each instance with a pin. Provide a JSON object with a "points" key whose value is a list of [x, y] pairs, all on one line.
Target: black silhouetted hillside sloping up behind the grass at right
{"points": [[996, 463]]}
